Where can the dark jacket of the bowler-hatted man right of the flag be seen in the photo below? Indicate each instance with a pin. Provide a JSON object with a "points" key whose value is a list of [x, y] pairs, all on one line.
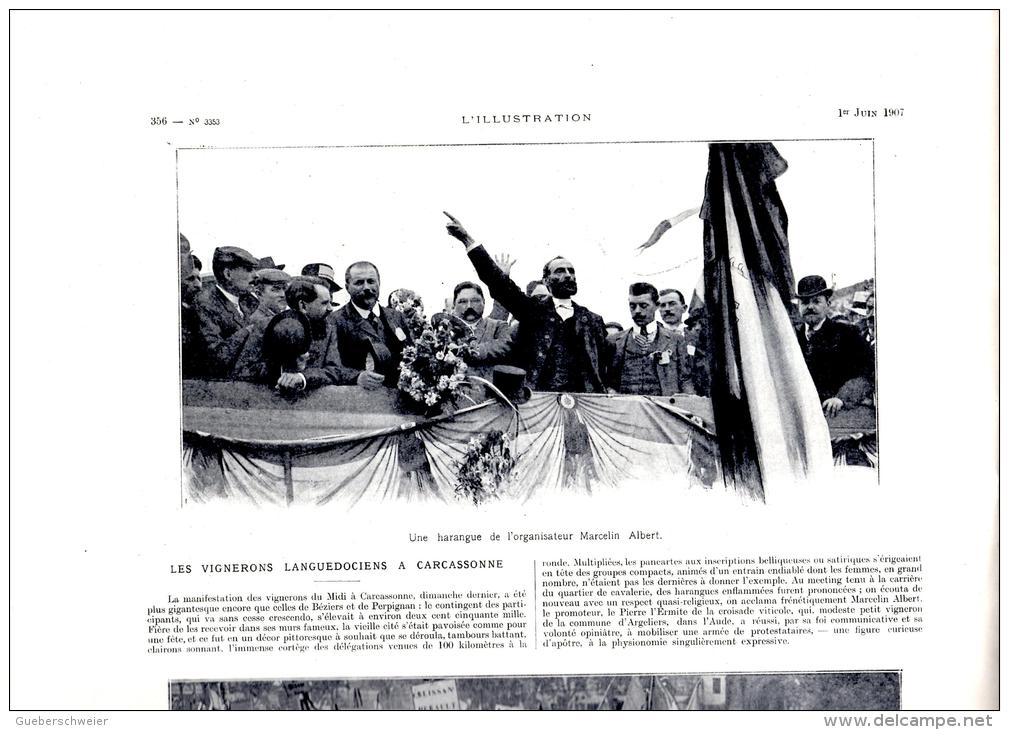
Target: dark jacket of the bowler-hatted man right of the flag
{"points": [[841, 363]]}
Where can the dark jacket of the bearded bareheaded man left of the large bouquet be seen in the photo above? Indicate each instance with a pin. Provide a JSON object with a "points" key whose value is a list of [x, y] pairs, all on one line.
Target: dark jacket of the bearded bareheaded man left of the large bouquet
{"points": [[358, 339]]}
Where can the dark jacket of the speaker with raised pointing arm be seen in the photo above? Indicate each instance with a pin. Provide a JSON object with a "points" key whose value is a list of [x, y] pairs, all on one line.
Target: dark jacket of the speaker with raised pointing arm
{"points": [[540, 327]]}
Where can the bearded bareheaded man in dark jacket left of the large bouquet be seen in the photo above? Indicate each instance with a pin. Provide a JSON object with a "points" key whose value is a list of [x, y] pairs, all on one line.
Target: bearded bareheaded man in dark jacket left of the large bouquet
{"points": [[371, 338]]}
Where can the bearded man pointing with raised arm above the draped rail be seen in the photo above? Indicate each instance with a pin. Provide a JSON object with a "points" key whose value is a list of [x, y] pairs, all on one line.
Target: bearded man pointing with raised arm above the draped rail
{"points": [[562, 345]]}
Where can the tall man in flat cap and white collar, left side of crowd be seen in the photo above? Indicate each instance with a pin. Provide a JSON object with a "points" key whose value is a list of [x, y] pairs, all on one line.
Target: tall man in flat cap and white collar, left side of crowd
{"points": [[221, 320]]}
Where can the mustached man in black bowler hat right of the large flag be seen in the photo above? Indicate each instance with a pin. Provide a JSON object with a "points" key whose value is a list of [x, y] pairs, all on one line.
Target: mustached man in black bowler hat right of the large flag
{"points": [[840, 361]]}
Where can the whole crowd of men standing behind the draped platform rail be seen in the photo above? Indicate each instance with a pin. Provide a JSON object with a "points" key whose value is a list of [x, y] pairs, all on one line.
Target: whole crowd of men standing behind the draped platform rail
{"points": [[256, 323]]}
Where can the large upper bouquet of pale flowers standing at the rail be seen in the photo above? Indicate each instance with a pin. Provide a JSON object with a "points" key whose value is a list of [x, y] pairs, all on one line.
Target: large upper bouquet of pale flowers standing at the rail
{"points": [[432, 369]]}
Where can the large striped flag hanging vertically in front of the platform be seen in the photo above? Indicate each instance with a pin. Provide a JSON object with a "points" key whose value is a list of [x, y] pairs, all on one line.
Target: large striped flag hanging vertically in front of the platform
{"points": [[772, 433]]}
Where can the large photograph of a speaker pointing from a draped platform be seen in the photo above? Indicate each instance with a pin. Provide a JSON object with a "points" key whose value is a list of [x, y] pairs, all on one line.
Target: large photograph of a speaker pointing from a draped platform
{"points": [[498, 323]]}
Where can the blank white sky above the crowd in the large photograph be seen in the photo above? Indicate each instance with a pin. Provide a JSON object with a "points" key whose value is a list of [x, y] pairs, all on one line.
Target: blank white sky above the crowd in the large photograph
{"points": [[592, 203]]}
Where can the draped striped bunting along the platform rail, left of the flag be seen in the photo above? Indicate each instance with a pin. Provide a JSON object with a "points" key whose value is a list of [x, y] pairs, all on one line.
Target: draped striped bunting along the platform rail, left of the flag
{"points": [[342, 446]]}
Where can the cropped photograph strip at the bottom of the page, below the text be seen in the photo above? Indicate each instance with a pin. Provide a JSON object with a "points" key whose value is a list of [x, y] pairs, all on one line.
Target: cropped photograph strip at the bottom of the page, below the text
{"points": [[826, 691]]}
